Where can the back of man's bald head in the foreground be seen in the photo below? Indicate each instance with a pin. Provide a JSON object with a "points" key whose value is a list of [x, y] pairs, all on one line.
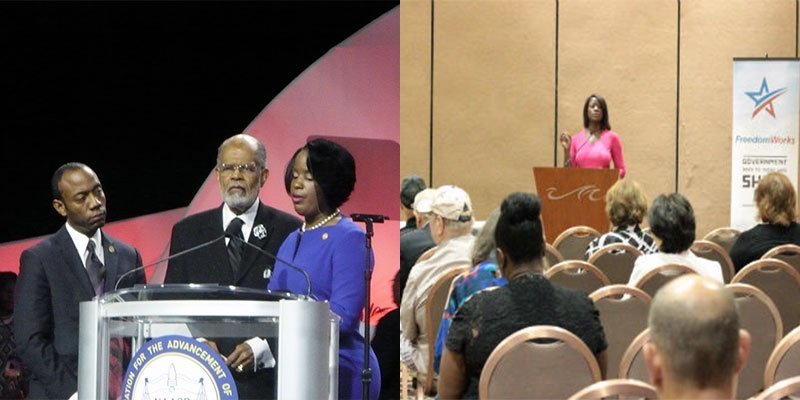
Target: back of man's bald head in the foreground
{"points": [[695, 328]]}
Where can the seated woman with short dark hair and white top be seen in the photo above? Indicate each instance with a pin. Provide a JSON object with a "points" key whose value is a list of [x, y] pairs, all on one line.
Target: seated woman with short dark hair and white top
{"points": [[672, 223]]}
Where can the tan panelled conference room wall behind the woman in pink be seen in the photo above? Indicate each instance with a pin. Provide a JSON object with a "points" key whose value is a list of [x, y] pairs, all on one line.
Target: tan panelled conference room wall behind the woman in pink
{"points": [[499, 89]]}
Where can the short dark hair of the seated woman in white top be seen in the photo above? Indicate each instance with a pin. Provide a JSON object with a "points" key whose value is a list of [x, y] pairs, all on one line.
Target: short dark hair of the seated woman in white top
{"points": [[672, 220]]}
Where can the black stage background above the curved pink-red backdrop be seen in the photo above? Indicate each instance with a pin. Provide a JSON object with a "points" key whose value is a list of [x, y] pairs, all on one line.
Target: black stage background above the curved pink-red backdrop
{"points": [[144, 92]]}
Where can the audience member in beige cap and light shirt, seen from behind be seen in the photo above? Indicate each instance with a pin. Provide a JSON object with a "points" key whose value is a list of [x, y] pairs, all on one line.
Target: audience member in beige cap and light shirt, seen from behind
{"points": [[451, 229]]}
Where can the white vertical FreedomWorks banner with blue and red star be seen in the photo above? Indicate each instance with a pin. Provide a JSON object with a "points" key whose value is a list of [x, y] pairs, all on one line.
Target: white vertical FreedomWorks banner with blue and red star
{"points": [[766, 110]]}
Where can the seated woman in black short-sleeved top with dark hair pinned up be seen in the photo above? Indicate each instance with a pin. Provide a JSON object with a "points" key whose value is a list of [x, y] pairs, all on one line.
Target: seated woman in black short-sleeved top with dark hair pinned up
{"points": [[528, 299]]}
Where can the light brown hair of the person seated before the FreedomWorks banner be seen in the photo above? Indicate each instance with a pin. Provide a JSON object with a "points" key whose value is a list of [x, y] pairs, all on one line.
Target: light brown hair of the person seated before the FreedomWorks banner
{"points": [[776, 199]]}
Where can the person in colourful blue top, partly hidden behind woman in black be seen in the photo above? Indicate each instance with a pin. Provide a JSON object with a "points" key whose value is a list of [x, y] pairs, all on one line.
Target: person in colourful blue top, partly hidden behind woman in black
{"points": [[482, 274]]}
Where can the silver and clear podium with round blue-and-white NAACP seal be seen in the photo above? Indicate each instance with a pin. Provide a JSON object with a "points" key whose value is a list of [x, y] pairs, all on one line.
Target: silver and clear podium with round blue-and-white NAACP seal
{"points": [[147, 342]]}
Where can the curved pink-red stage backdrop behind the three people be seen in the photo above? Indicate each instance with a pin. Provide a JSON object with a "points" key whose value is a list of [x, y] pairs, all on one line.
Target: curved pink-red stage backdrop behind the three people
{"points": [[350, 95]]}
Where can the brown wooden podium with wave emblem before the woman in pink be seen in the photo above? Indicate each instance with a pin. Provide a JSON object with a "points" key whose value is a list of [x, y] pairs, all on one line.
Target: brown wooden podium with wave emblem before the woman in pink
{"points": [[573, 196]]}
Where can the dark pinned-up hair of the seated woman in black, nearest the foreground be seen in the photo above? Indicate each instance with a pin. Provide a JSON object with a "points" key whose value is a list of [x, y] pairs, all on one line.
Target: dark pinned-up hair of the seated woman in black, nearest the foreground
{"points": [[519, 229]]}
